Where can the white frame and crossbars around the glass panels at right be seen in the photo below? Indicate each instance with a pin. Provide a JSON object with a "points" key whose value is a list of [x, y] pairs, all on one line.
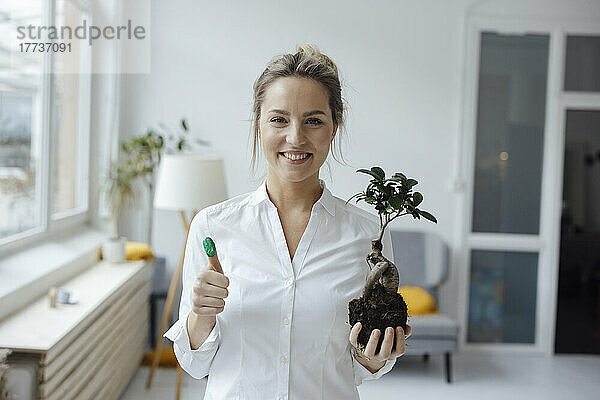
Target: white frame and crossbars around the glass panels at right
{"points": [[547, 243]]}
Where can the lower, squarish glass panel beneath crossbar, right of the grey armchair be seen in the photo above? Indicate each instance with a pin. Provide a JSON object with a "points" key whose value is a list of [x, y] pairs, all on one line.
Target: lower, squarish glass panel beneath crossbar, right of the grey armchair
{"points": [[502, 297]]}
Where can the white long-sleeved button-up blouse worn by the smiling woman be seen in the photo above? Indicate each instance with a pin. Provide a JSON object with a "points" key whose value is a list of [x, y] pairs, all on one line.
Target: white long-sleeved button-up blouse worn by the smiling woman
{"points": [[284, 331]]}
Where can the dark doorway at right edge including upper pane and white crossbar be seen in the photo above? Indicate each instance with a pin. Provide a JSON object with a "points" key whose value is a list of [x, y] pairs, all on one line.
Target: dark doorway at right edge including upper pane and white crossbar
{"points": [[577, 324]]}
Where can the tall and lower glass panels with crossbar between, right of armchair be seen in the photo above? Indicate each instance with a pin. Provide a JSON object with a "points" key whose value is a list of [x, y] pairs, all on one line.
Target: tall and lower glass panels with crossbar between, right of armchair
{"points": [[503, 239]]}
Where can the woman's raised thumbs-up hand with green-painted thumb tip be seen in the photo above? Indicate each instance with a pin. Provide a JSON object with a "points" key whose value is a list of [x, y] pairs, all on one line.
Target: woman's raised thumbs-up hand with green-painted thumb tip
{"points": [[210, 288]]}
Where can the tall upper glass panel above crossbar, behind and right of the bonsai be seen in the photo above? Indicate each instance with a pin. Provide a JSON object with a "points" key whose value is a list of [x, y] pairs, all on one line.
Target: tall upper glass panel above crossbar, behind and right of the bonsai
{"points": [[510, 133]]}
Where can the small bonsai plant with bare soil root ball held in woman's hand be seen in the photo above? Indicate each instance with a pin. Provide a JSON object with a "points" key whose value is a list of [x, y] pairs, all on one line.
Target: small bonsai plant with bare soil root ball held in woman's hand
{"points": [[381, 305]]}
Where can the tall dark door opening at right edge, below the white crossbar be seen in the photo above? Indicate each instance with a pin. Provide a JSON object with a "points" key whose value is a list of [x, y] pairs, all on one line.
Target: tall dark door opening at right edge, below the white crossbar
{"points": [[578, 303]]}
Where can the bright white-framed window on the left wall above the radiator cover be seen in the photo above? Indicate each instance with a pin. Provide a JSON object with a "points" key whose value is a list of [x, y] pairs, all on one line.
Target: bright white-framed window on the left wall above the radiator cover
{"points": [[44, 122]]}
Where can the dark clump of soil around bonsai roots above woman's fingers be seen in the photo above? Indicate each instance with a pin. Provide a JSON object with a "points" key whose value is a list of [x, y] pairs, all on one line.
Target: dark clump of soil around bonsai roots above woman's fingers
{"points": [[378, 311]]}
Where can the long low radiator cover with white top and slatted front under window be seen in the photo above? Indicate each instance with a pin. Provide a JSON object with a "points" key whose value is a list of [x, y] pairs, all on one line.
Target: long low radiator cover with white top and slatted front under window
{"points": [[89, 350]]}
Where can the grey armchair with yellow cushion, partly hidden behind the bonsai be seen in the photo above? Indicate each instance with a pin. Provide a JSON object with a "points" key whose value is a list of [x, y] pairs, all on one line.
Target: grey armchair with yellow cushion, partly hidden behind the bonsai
{"points": [[422, 260]]}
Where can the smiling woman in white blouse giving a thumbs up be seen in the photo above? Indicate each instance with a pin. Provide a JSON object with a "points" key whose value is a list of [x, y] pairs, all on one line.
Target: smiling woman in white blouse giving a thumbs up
{"points": [[267, 317]]}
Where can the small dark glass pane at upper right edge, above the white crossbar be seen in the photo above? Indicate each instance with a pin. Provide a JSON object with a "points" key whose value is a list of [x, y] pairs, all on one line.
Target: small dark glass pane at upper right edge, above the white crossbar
{"points": [[582, 69]]}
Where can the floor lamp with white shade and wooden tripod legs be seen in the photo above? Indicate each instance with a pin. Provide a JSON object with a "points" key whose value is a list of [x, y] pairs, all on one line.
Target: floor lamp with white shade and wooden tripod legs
{"points": [[184, 182]]}
